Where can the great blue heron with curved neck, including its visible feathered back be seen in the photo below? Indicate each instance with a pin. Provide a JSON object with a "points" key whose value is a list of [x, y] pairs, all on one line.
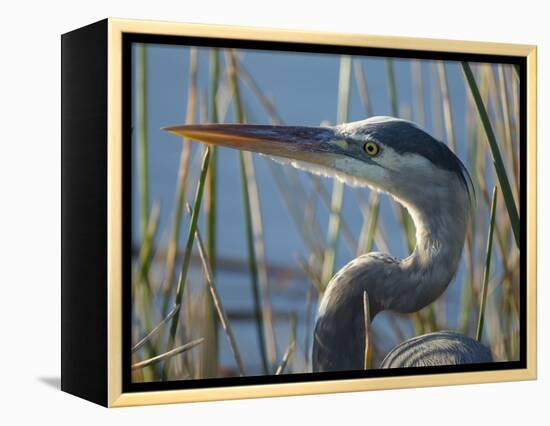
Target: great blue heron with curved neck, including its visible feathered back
{"points": [[396, 157]]}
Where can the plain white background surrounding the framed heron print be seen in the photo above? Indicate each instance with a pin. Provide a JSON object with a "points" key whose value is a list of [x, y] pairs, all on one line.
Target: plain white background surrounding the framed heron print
{"points": [[30, 211]]}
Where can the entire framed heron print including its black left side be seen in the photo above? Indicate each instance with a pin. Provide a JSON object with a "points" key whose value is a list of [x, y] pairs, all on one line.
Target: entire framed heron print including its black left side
{"points": [[250, 212]]}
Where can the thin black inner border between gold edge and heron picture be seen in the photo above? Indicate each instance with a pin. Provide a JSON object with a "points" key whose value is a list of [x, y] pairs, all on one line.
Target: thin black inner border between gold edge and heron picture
{"points": [[129, 38]]}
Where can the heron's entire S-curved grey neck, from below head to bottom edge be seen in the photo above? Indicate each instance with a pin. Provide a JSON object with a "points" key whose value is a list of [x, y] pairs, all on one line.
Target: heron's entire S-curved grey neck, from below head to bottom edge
{"points": [[405, 285]]}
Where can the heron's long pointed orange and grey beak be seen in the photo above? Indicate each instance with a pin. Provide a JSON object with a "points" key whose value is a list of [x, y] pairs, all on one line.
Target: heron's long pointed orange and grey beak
{"points": [[311, 144]]}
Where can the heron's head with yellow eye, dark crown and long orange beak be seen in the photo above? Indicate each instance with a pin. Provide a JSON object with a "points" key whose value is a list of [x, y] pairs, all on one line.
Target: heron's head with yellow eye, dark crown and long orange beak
{"points": [[385, 153]]}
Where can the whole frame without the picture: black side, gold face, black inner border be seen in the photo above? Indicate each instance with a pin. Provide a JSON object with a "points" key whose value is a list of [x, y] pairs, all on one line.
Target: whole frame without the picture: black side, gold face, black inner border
{"points": [[99, 120]]}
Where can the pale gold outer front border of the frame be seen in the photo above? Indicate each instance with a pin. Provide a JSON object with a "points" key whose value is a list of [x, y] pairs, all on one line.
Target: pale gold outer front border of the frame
{"points": [[116, 398]]}
